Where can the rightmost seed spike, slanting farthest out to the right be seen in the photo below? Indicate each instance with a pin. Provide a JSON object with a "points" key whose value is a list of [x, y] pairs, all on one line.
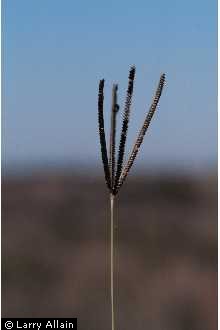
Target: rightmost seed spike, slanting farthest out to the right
{"points": [[142, 132]]}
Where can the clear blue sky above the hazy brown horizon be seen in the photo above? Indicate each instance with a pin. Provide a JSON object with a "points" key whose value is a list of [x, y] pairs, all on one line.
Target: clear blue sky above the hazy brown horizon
{"points": [[54, 53]]}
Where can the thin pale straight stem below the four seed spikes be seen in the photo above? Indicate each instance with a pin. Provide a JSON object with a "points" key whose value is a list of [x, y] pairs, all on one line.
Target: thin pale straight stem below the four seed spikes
{"points": [[112, 261]]}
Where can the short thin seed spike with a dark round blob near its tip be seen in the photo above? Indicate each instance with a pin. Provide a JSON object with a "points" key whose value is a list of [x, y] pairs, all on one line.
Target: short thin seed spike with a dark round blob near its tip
{"points": [[114, 111]]}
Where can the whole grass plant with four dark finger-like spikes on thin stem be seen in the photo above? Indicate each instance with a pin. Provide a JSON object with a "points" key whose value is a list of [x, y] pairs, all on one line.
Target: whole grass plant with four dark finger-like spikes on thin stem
{"points": [[116, 172]]}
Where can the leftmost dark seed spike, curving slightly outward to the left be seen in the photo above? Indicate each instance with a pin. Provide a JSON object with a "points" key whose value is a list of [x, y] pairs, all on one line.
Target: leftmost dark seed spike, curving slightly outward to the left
{"points": [[102, 134]]}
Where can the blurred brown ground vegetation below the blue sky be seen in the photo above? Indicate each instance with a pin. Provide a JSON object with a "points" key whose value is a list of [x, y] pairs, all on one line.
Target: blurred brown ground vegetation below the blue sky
{"points": [[55, 251]]}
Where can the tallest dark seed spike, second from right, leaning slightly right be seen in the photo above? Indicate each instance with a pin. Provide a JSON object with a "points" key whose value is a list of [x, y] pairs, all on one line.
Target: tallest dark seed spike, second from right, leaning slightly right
{"points": [[124, 129]]}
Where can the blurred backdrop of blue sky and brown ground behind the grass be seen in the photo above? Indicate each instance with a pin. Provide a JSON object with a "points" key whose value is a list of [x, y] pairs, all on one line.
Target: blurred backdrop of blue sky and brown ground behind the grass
{"points": [[55, 206]]}
